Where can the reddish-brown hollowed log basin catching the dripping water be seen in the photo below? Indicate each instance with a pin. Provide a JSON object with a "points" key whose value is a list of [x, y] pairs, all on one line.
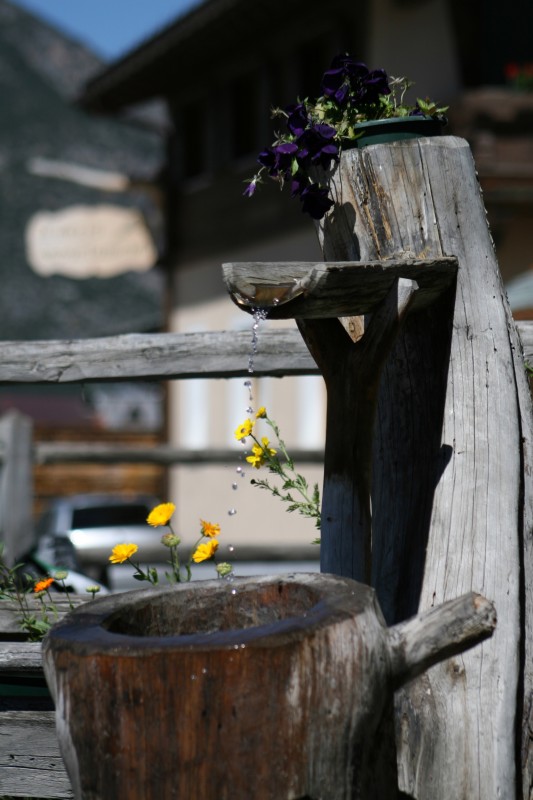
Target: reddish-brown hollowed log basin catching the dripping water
{"points": [[268, 688]]}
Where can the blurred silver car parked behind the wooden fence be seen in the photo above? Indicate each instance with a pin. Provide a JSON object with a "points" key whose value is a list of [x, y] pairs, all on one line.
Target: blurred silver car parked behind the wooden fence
{"points": [[94, 524]]}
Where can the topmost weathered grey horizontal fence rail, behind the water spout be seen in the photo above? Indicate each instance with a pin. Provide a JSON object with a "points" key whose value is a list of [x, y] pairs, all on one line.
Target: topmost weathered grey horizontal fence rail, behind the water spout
{"points": [[216, 354]]}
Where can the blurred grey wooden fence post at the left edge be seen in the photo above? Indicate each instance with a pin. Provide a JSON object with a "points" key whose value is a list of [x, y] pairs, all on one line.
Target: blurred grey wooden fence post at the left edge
{"points": [[16, 485]]}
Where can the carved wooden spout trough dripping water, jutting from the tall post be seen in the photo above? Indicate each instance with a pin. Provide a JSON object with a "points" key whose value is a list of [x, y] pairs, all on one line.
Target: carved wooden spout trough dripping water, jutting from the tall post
{"points": [[313, 290]]}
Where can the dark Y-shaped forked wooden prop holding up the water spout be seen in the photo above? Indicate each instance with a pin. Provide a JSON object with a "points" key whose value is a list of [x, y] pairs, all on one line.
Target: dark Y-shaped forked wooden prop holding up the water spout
{"points": [[352, 372]]}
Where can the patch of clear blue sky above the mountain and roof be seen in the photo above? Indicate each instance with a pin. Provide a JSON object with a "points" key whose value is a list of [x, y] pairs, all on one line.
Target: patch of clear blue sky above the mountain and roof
{"points": [[108, 27]]}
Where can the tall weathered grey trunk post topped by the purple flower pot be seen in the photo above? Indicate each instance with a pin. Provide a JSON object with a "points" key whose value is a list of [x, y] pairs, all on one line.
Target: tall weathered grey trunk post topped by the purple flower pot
{"points": [[452, 489]]}
